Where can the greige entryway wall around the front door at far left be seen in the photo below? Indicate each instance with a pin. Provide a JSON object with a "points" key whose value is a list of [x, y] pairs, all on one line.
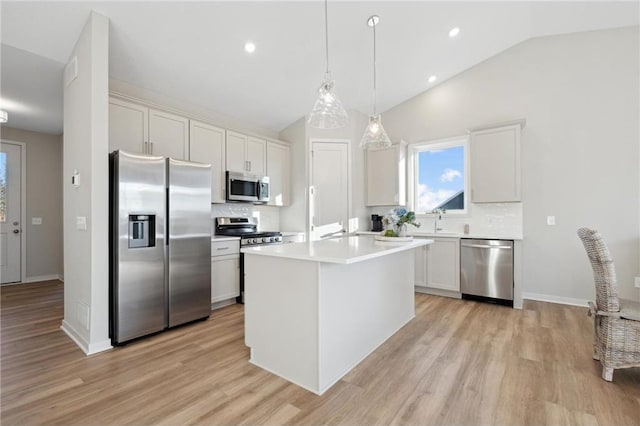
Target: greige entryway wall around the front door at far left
{"points": [[44, 200]]}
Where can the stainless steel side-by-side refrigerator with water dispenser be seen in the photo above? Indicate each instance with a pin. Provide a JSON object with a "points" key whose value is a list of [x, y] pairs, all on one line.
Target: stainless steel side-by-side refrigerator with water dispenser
{"points": [[160, 247]]}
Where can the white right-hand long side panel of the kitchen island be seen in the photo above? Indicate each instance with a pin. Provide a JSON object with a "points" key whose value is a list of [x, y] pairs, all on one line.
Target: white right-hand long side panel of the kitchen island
{"points": [[361, 305]]}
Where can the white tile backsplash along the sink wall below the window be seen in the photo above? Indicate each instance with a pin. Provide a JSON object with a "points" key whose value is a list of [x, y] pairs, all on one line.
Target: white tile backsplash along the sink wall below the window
{"points": [[492, 219]]}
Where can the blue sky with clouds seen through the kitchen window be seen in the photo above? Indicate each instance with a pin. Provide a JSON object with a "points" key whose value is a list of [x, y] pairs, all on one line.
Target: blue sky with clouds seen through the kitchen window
{"points": [[440, 176]]}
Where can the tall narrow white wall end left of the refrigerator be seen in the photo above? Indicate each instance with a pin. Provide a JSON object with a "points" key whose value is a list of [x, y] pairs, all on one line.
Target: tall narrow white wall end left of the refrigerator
{"points": [[85, 149]]}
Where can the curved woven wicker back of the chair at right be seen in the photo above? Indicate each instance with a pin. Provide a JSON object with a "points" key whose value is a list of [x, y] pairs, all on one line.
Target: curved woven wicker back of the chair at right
{"points": [[604, 272]]}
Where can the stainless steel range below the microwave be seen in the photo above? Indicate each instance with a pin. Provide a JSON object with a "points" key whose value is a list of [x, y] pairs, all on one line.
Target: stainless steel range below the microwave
{"points": [[247, 229]]}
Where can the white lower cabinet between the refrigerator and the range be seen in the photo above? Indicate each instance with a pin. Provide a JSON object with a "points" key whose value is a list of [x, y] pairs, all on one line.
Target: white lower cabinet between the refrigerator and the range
{"points": [[225, 270]]}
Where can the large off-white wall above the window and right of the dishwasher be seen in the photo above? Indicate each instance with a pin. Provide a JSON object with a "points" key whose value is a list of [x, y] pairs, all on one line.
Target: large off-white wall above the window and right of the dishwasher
{"points": [[580, 96]]}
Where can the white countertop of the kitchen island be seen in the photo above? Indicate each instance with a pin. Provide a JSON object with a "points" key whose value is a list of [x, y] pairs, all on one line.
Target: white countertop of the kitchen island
{"points": [[343, 250]]}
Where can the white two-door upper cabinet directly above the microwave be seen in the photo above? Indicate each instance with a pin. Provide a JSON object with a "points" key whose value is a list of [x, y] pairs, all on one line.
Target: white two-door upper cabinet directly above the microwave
{"points": [[246, 154]]}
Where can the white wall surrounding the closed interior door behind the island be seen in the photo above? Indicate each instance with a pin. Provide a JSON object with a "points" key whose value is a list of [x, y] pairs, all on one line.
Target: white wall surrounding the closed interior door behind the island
{"points": [[300, 135]]}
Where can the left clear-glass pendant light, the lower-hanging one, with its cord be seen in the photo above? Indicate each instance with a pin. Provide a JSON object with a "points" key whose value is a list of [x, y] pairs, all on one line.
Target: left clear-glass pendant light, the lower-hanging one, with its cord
{"points": [[328, 111]]}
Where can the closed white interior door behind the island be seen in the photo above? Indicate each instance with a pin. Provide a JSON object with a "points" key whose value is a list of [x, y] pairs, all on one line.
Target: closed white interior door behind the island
{"points": [[329, 189]]}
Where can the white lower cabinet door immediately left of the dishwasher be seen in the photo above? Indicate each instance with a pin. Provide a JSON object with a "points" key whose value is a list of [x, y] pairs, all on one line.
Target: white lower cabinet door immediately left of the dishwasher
{"points": [[443, 264]]}
